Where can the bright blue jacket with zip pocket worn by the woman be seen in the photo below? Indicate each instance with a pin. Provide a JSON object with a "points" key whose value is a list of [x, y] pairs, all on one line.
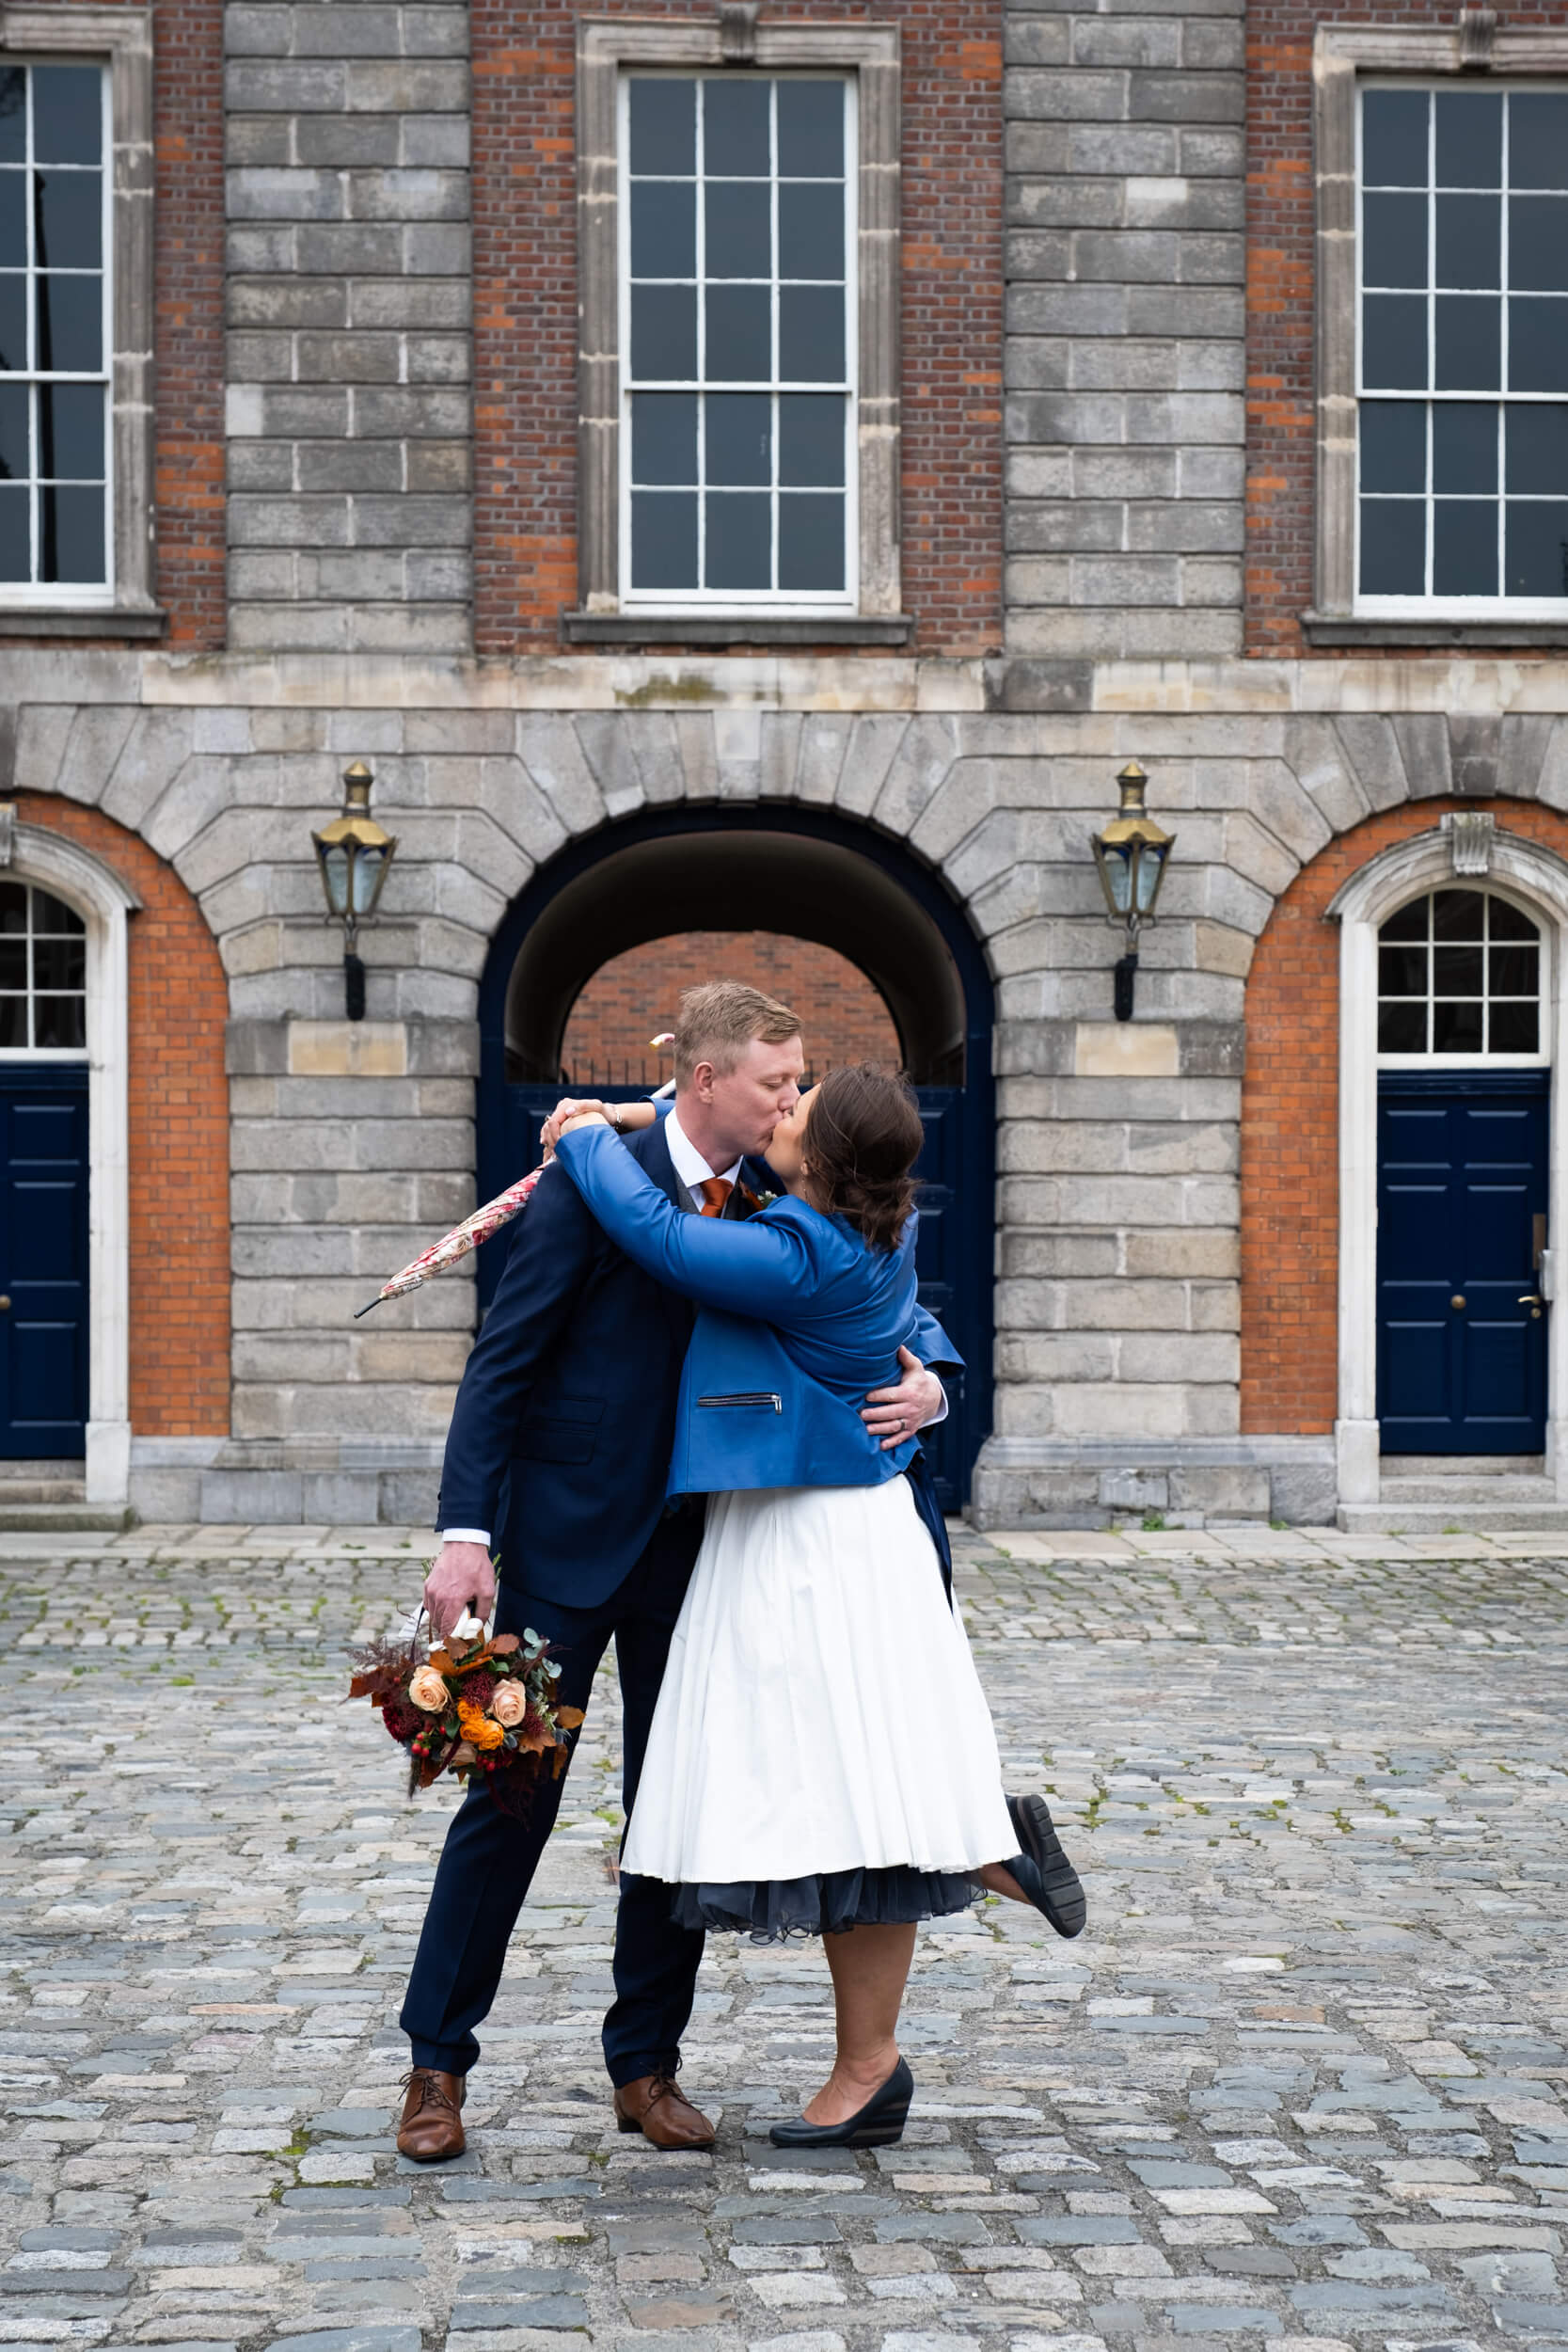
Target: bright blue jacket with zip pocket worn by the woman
{"points": [[798, 1318]]}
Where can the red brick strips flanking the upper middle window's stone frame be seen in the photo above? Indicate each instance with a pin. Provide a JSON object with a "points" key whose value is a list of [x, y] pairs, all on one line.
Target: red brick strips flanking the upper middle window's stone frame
{"points": [[525, 314]]}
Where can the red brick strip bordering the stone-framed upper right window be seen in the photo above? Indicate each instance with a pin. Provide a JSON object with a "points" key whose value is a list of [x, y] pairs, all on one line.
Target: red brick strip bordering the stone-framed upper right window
{"points": [[1280, 300]]}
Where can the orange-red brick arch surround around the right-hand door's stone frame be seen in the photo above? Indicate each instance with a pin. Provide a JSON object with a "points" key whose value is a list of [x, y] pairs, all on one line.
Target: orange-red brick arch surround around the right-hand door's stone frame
{"points": [[1292, 1128]]}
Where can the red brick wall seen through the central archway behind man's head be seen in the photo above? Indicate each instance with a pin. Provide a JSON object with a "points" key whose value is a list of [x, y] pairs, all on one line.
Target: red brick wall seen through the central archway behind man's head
{"points": [[631, 998]]}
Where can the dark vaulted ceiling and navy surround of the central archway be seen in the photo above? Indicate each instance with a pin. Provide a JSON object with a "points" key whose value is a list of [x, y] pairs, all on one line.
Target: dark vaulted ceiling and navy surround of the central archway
{"points": [[805, 876]]}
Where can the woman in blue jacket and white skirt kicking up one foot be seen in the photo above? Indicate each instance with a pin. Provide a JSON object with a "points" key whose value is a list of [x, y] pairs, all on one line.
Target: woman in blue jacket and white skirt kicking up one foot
{"points": [[822, 1758]]}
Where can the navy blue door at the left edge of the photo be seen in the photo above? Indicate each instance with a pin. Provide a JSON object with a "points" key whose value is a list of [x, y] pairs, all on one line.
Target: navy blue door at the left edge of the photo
{"points": [[43, 1262]]}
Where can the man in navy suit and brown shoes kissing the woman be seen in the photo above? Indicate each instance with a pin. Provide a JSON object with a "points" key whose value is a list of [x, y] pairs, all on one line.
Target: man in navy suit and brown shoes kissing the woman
{"points": [[561, 1441]]}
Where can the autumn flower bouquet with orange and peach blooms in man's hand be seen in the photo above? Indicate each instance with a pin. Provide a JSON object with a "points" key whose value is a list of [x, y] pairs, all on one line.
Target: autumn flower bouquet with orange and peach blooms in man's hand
{"points": [[485, 1713]]}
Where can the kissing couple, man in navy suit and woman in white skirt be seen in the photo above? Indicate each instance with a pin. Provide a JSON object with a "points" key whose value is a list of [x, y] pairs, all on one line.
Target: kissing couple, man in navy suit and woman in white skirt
{"points": [[692, 1422]]}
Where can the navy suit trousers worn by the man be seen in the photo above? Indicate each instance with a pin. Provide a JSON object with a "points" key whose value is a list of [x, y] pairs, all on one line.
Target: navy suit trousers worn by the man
{"points": [[490, 1859]]}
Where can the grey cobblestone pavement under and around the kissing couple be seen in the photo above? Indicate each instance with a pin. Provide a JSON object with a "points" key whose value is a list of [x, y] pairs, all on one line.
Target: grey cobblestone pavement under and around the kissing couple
{"points": [[1301, 2080]]}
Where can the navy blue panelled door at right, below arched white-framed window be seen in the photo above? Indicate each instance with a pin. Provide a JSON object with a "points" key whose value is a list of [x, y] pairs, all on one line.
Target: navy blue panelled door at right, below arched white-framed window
{"points": [[1461, 1184]]}
